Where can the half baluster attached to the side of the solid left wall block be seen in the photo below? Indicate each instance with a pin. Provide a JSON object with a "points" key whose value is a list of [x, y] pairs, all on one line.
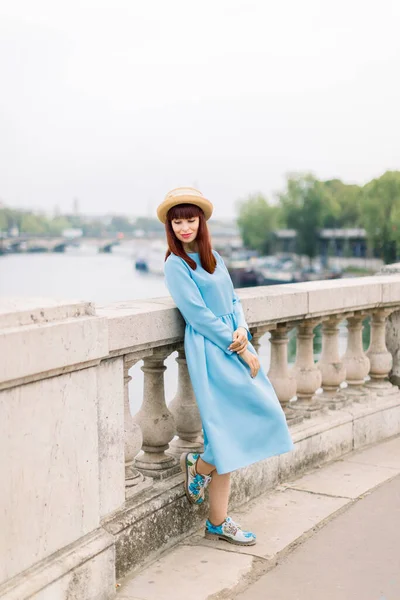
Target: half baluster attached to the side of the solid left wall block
{"points": [[132, 433]]}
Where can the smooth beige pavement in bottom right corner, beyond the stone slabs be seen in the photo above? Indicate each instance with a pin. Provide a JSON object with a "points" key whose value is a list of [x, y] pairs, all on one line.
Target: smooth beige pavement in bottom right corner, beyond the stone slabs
{"points": [[355, 557]]}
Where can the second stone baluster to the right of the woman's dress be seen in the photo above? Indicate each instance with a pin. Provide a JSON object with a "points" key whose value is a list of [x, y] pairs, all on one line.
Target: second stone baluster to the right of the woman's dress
{"points": [[307, 374]]}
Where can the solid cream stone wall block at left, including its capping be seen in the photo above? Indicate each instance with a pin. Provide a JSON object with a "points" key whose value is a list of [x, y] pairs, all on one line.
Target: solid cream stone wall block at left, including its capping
{"points": [[61, 449]]}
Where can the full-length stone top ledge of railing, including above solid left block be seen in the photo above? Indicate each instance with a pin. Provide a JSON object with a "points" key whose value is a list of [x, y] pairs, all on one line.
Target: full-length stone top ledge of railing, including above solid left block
{"points": [[39, 336]]}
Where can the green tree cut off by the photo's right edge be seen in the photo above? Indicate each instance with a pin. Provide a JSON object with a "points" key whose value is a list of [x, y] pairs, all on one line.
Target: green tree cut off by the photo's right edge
{"points": [[381, 214]]}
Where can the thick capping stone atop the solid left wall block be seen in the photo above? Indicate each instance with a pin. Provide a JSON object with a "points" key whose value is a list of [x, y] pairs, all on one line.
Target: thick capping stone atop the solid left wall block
{"points": [[49, 339]]}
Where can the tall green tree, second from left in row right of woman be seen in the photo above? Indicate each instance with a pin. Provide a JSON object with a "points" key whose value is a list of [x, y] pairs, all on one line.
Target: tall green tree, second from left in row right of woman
{"points": [[305, 205]]}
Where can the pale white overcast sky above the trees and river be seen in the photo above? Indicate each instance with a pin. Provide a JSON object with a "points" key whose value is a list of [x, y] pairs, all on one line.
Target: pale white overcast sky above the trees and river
{"points": [[114, 102]]}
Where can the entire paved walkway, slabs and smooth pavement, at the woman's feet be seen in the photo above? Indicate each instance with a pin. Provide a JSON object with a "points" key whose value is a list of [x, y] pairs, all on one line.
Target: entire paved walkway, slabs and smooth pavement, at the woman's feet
{"points": [[332, 534]]}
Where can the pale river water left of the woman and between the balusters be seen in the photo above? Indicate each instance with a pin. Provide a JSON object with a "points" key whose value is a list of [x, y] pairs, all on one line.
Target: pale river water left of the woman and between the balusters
{"points": [[102, 279]]}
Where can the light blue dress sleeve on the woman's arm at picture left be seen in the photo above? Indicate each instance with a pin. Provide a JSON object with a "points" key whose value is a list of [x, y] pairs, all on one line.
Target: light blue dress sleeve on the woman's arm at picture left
{"points": [[189, 300]]}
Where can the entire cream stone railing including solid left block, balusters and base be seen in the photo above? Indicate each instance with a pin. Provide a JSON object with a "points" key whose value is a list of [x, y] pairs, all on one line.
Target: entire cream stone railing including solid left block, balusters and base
{"points": [[84, 477]]}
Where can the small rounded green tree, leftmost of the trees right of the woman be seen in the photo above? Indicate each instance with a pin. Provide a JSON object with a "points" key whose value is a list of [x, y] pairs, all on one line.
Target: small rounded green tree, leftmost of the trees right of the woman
{"points": [[256, 221]]}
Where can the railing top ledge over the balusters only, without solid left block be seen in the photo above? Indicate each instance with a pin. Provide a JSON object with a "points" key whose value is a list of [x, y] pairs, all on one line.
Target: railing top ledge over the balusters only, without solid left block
{"points": [[150, 323]]}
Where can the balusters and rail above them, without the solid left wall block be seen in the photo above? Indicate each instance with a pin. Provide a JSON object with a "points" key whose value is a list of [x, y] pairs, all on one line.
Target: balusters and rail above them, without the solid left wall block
{"points": [[305, 390]]}
